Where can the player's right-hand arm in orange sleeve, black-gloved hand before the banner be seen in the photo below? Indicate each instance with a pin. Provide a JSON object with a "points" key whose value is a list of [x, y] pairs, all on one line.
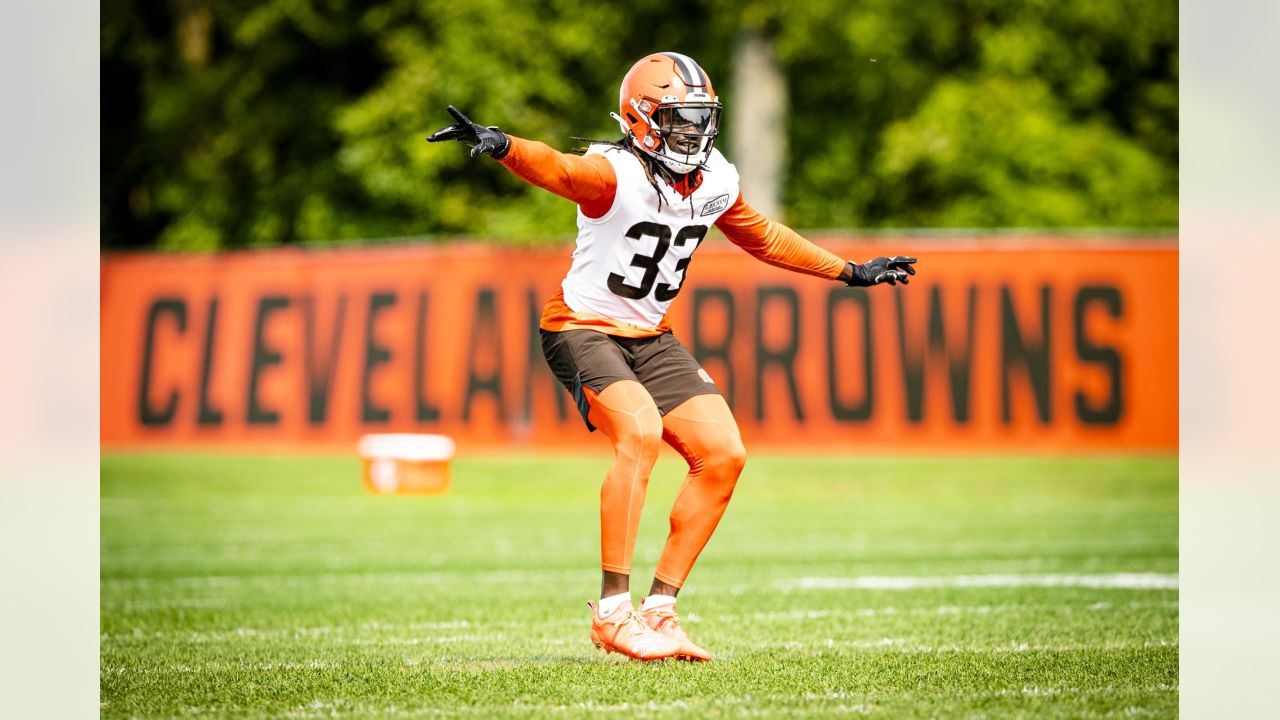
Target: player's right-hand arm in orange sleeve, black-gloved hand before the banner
{"points": [[779, 245]]}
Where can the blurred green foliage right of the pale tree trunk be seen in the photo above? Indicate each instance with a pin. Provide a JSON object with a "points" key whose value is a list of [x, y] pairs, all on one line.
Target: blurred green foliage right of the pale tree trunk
{"points": [[979, 112]]}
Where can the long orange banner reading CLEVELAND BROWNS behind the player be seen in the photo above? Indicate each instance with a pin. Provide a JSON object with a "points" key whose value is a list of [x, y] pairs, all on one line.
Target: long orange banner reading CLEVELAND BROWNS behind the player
{"points": [[1028, 344]]}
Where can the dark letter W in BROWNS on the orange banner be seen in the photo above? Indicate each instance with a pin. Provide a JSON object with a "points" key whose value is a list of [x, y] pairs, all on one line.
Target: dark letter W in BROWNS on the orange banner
{"points": [[959, 361]]}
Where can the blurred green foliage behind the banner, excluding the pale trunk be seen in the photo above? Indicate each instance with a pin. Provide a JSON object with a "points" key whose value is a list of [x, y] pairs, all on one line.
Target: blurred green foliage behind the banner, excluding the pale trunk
{"points": [[239, 124]]}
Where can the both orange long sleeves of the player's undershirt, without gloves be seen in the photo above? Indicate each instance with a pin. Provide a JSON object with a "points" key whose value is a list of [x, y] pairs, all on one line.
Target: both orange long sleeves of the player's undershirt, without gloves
{"points": [[591, 183]]}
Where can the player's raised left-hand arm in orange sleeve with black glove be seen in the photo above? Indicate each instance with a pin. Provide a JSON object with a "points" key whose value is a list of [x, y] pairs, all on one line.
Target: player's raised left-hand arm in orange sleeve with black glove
{"points": [[588, 181]]}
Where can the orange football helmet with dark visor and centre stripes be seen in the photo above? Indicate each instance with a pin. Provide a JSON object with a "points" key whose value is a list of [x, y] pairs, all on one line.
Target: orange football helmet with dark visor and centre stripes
{"points": [[670, 111]]}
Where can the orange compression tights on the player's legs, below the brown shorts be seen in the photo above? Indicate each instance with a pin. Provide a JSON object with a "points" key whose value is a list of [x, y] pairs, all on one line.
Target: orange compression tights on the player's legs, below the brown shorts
{"points": [[705, 432]]}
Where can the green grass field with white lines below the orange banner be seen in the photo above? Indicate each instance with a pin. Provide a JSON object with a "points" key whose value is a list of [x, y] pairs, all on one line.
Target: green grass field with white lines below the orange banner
{"points": [[959, 589]]}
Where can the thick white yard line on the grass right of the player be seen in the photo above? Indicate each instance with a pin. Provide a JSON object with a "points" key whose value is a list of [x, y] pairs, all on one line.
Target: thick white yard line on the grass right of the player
{"points": [[1119, 581]]}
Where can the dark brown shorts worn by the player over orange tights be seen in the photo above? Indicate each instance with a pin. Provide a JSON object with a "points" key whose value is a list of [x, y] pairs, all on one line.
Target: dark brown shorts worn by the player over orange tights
{"points": [[591, 359]]}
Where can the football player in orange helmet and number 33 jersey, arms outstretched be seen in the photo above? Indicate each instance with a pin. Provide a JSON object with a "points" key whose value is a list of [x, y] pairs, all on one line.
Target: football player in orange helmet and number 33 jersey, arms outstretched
{"points": [[644, 204]]}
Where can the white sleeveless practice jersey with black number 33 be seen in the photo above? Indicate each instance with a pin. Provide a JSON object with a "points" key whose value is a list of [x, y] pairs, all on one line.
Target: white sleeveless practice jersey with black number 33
{"points": [[630, 265]]}
